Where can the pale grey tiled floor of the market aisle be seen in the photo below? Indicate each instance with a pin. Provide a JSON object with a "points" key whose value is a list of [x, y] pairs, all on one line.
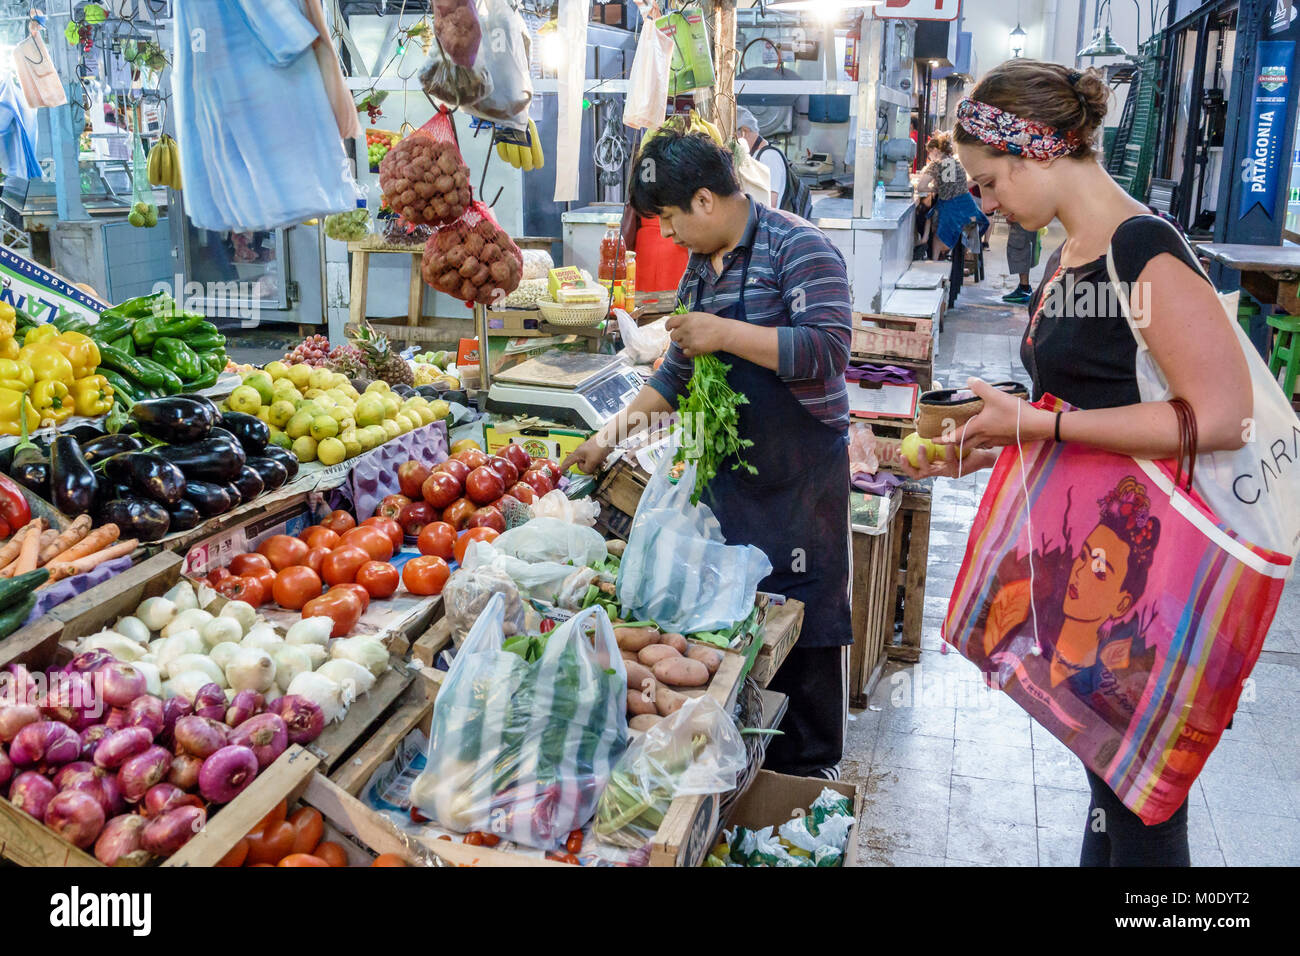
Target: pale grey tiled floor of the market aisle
{"points": [[956, 775]]}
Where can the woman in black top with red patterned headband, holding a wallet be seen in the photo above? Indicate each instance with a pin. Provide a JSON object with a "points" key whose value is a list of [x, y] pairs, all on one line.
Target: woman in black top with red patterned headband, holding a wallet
{"points": [[1026, 137]]}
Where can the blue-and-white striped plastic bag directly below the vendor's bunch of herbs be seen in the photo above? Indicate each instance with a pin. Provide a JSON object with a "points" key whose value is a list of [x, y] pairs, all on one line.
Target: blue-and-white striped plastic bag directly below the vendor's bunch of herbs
{"points": [[677, 569]]}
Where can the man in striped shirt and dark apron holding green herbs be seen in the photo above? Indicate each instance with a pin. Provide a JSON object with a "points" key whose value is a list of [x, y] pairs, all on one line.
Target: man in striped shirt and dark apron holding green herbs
{"points": [[768, 293]]}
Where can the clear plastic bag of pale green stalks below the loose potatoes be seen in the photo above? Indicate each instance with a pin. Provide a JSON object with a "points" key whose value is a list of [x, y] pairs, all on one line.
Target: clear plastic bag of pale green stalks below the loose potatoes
{"points": [[697, 750]]}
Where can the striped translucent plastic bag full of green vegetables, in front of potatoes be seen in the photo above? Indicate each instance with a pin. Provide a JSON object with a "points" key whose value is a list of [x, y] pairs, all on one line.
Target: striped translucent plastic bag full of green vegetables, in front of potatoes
{"points": [[522, 750]]}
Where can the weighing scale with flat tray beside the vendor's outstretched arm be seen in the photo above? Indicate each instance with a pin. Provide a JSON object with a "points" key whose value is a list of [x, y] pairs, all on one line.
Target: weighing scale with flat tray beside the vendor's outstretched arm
{"points": [[578, 390]]}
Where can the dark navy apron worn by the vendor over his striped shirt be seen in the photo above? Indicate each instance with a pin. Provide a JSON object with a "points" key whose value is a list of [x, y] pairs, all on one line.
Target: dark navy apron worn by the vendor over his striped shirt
{"points": [[796, 509]]}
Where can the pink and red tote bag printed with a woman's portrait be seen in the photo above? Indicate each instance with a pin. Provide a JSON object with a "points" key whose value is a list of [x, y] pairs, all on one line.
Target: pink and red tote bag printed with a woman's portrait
{"points": [[1116, 611]]}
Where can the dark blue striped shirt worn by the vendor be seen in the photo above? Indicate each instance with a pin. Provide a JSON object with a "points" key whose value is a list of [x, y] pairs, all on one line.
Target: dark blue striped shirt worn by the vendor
{"points": [[798, 284]]}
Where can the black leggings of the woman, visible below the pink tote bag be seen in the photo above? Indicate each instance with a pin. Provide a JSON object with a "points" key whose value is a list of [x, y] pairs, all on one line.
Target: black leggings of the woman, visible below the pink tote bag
{"points": [[1116, 837]]}
